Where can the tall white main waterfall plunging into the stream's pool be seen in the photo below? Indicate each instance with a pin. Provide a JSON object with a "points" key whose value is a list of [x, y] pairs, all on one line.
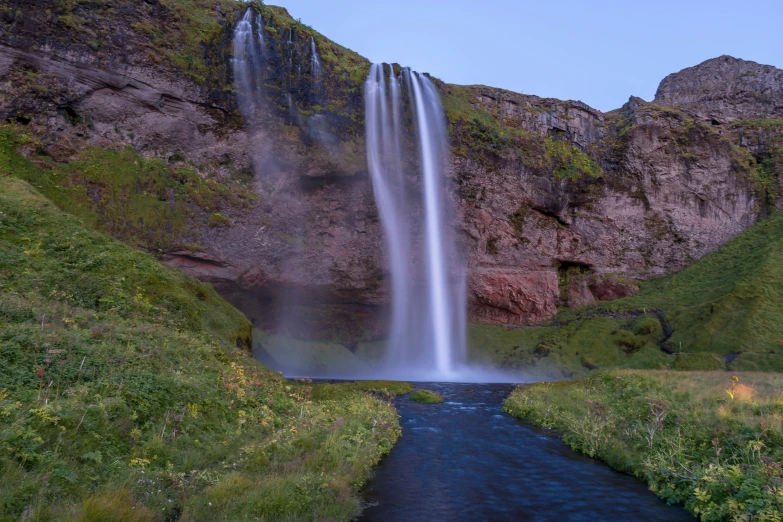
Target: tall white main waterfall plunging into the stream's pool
{"points": [[427, 274]]}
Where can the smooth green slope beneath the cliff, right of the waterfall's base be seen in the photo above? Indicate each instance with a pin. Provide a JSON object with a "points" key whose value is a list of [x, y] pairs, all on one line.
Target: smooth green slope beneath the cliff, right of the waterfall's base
{"points": [[729, 303]]}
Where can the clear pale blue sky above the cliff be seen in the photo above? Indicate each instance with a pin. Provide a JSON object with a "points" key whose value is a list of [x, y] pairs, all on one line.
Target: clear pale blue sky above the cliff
{"points": [[599, 51]]}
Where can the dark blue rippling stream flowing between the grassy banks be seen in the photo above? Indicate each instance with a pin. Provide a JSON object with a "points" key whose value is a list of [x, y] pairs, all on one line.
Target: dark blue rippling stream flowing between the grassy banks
{"points": [[466, 460]]}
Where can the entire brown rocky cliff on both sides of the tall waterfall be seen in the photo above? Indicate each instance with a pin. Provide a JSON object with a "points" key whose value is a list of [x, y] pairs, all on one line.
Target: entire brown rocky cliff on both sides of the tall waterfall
{"points": [[558, 203]]}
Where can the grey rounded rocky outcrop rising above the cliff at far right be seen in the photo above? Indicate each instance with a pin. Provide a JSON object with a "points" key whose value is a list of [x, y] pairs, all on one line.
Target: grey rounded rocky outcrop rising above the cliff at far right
{"points": [[725, 89]]}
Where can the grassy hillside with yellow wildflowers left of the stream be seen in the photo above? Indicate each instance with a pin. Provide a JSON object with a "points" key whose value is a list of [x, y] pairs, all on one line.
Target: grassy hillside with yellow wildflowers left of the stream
{"points": [[126, 392]]}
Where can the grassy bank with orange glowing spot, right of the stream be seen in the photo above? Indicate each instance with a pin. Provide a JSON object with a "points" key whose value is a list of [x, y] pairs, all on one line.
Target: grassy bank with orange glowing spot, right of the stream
{"points": [[709, 441]]}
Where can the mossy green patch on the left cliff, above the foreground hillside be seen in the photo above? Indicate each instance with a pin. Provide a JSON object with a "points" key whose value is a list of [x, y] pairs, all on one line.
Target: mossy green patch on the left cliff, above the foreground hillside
{"points": [[143, 202]]}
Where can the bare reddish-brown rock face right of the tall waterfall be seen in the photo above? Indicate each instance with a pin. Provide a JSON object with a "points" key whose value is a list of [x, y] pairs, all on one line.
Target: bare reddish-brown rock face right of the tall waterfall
{"points": [[668, 191]]}
